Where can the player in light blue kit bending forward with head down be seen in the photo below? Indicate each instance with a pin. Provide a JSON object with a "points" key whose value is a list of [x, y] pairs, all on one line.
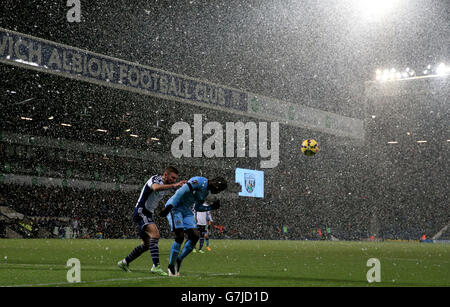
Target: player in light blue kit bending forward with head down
{"points": [[178, 210]]}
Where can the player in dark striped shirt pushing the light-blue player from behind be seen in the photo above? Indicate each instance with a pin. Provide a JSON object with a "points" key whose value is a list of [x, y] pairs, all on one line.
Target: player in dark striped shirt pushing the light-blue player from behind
{"points": [[151, 194]]}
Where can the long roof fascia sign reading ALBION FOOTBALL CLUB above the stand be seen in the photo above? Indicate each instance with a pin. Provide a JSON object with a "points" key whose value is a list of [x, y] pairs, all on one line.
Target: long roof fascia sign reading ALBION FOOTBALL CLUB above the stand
{"points": [[30, 52]]}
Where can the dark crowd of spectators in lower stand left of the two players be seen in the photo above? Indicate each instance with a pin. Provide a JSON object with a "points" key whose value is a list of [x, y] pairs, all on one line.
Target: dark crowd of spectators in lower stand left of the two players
{"points": [[105, 212]]}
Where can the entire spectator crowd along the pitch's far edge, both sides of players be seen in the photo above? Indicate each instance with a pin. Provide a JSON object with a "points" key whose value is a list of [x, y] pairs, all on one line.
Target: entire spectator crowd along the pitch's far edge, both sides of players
{"points": [[107, 214]]}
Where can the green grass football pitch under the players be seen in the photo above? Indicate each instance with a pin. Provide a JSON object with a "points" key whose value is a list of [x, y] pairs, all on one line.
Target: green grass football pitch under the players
{"points": [[231, 263]]}
